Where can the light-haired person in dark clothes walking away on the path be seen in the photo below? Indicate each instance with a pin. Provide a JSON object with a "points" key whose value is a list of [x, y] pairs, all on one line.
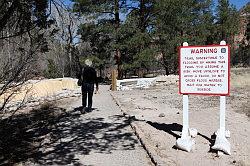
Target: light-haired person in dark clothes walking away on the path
{"points": [[89, 78]]}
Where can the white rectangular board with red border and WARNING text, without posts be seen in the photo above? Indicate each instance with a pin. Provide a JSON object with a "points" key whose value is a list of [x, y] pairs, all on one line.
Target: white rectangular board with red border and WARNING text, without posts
{"points": [[204, 70]]}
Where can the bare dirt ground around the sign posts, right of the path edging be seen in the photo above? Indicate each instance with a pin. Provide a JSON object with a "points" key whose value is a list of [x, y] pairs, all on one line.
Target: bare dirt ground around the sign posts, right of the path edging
{"points": [[158, 115]]}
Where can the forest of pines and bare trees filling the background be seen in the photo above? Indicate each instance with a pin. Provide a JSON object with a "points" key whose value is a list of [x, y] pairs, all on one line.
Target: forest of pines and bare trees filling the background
{"points": [[52, 38]]}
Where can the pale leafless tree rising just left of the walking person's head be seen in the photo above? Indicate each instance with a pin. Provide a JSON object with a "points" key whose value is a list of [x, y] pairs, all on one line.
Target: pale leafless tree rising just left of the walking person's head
{"points": [[67, 25]]}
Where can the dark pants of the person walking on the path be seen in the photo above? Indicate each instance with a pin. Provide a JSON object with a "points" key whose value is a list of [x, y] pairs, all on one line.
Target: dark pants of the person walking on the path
{"points": [[87, 92]]}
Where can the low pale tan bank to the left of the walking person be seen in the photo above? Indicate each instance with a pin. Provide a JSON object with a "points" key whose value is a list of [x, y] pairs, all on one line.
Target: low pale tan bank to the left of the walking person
{"points": [[36, 91]]}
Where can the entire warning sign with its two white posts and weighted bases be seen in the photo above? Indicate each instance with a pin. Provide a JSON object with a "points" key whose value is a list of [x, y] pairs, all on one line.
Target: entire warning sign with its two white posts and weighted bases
{"points": [[204, 70]]}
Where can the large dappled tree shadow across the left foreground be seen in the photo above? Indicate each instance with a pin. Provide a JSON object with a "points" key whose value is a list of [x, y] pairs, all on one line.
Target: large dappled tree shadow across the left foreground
{"points": [[54, 136]]}
